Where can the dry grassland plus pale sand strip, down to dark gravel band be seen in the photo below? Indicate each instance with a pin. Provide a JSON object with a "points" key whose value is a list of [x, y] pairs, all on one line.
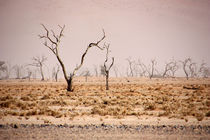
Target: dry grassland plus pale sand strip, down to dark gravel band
{"points": [[168, 100]]}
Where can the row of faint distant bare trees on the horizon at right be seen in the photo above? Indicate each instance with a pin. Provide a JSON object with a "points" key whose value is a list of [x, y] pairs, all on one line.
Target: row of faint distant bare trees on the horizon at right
{"points": [[190, 69]]}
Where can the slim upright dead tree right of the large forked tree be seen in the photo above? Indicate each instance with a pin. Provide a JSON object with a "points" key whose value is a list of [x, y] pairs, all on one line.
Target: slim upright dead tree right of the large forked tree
{"points": [[106, 67]]}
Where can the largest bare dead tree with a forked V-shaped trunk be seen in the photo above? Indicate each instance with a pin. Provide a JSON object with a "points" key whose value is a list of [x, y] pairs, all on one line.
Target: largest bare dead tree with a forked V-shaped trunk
{"points": [[54, 40]]}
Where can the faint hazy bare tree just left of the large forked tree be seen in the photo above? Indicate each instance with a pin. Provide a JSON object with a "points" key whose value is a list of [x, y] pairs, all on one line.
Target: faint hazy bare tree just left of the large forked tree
{"points": [[39, 63]]}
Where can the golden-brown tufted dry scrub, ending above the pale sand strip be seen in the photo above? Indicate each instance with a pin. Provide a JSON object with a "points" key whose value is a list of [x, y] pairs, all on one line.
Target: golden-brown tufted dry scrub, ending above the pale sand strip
{"points": [[158, 98]]}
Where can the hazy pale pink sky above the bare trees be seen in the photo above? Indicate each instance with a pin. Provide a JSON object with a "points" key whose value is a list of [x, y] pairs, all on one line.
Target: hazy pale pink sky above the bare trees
{"points": [[144, 29]]}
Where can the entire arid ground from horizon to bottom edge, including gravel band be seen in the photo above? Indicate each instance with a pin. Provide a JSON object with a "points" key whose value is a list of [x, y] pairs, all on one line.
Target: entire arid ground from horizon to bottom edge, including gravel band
{"points": [[132, 109]]}
